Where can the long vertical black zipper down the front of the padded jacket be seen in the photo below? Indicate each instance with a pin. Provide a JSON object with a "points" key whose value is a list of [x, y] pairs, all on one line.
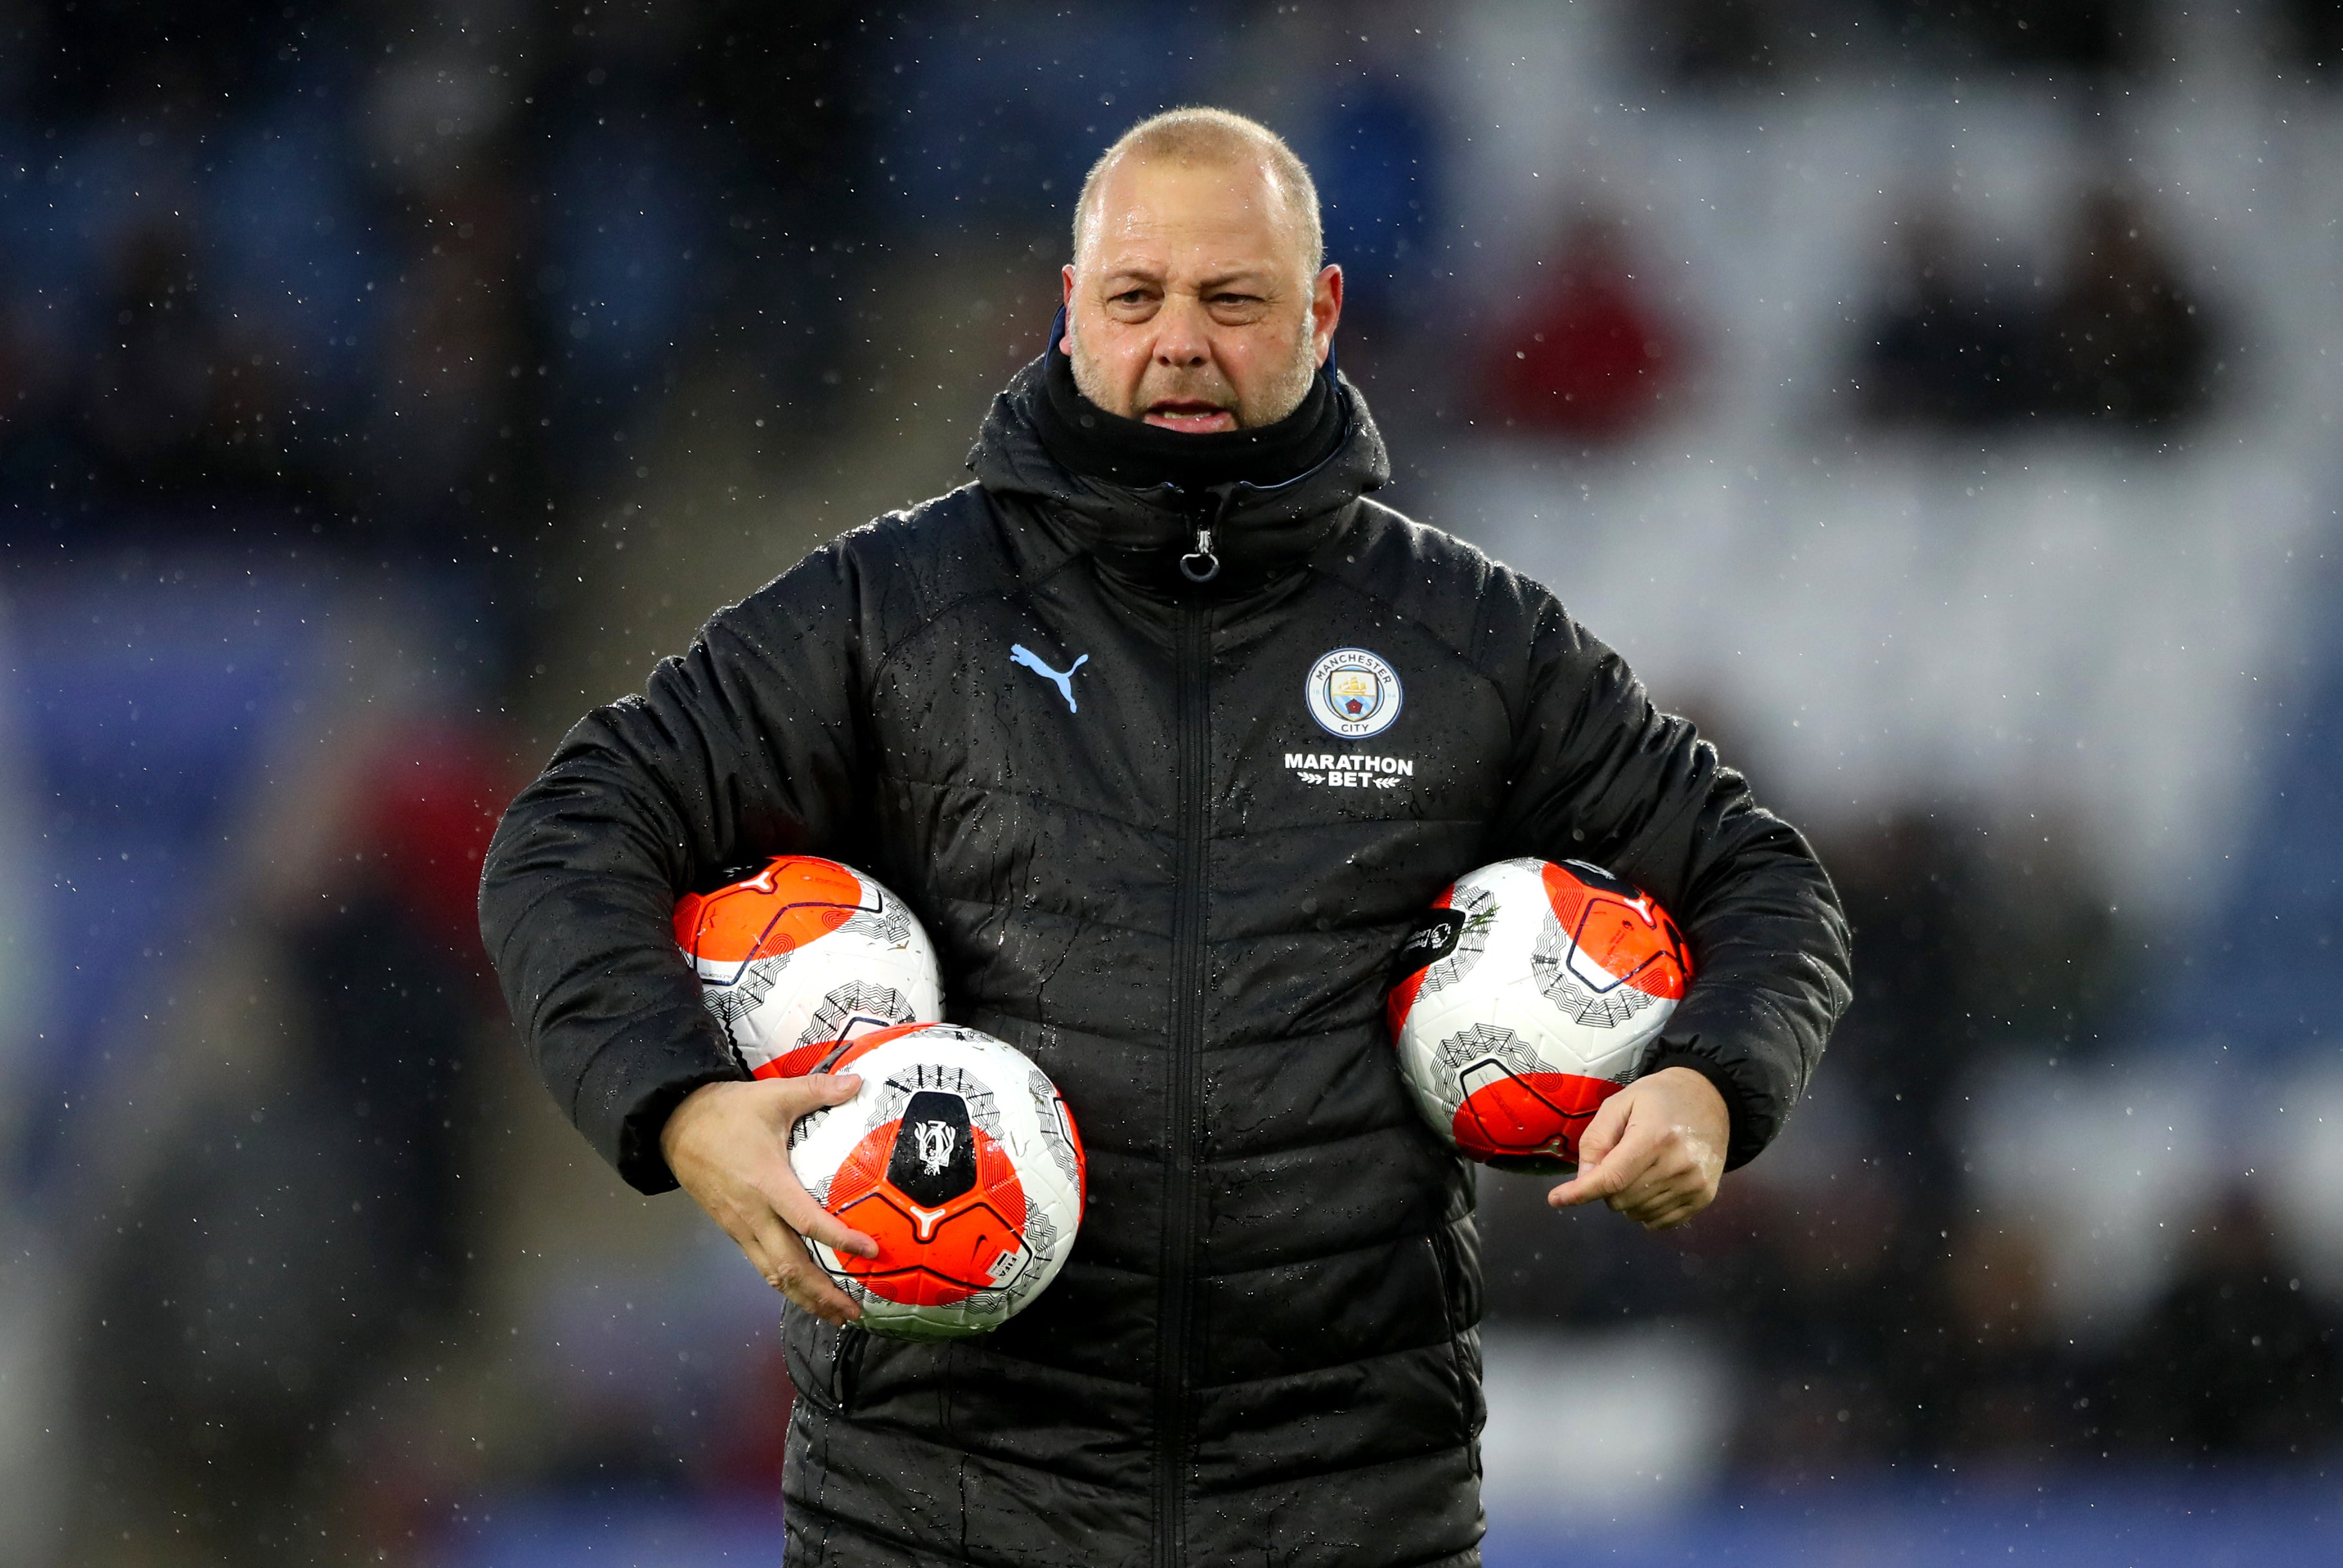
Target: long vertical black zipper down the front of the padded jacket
{"points": [[1187, 1072]]}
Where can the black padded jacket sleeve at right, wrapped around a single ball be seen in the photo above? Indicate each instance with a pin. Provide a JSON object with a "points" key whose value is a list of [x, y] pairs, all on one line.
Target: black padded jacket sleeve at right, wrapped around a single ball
{"points": [[1599, 775]]}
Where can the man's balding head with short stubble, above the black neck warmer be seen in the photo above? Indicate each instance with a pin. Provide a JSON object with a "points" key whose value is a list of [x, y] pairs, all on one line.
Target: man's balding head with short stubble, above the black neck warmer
{"points": [[1198, 296]]}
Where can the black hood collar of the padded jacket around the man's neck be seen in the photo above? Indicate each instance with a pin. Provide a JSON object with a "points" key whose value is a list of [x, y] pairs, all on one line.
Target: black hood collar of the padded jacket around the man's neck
{"points": [[1259, 533]]}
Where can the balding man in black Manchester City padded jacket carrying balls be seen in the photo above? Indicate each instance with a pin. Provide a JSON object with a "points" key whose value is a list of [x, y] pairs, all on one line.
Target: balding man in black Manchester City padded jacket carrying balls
{"points": [[1264, 1342]]}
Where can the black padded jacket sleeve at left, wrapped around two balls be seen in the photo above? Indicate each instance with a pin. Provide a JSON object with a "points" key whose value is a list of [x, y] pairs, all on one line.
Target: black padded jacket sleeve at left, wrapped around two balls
{"points": [[744, 749]]}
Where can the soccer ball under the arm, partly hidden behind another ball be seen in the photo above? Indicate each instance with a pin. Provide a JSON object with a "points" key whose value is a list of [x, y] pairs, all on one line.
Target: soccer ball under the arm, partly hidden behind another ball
{"points": [[802, 960]]}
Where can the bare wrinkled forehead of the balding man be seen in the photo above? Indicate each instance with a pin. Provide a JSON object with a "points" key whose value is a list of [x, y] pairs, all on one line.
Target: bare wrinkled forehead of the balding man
{"points": [[1154, 207]]}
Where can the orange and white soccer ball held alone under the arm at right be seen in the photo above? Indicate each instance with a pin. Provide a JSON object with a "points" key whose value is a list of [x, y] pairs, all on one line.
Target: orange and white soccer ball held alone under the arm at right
{"points": [[1526, 1000]]}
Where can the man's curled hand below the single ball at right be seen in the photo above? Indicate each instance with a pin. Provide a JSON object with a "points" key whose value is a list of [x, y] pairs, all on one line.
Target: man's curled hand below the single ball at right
{"points": [[1655, 1152]]}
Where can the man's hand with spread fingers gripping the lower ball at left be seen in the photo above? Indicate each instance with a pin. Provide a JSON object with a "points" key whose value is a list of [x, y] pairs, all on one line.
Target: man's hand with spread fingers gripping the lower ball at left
{"points": [[730, 1147]]}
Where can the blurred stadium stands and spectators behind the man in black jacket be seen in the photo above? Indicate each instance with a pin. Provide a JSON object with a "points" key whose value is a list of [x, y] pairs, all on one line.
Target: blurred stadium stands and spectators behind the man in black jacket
{"points": [[1932, 397]]}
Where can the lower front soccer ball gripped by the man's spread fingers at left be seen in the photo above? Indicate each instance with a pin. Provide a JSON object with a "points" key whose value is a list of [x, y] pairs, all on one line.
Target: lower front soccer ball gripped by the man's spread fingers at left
{"points": [[962, 1161]]}
